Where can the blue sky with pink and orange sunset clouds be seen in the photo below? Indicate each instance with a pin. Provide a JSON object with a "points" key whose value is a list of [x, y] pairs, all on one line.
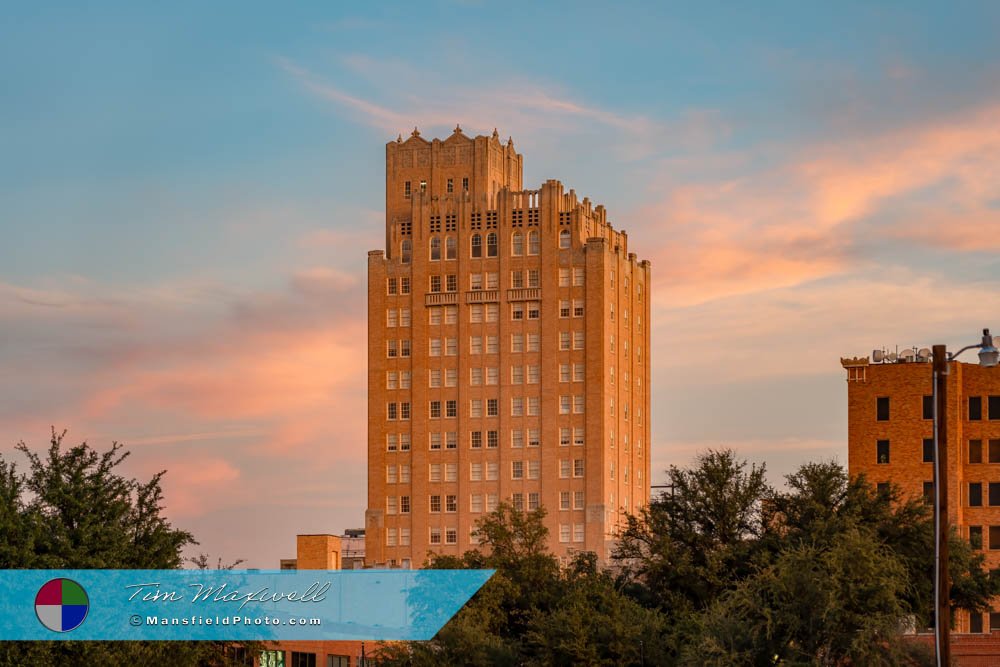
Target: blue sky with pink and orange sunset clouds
{"points": [[187, 193]]}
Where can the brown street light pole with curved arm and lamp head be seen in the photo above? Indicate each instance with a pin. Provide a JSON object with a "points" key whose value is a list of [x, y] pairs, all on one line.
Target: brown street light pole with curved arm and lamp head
{"points": [[988, 357]]}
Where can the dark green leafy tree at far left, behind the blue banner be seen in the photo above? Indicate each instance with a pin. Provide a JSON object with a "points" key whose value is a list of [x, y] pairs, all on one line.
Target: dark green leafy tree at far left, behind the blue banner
{"points": [[73, 509]]}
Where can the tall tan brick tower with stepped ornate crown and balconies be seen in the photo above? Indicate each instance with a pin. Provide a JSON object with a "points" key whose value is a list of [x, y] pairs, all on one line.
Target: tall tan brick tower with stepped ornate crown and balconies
{"points": [[508, 356]]}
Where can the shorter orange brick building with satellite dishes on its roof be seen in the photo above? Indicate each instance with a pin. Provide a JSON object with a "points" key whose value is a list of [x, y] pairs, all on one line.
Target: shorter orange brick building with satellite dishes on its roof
{"points": [[890, 439]]}
